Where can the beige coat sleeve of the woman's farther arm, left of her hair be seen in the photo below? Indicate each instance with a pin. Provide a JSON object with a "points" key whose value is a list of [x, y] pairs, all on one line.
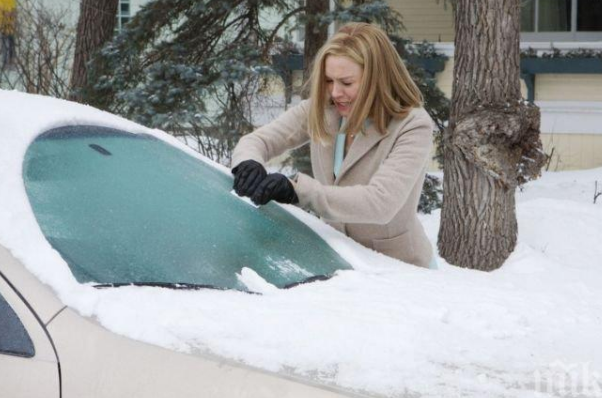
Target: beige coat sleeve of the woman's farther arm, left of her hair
{"points": [[288, 131]]}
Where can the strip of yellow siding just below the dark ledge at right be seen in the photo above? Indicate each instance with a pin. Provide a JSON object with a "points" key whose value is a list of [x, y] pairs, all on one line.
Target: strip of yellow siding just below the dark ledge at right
{"points": [[567, 87]]}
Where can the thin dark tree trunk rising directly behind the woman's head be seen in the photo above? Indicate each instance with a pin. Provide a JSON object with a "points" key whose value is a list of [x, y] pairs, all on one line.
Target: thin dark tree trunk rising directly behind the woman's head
{"points": [[315, 35]]}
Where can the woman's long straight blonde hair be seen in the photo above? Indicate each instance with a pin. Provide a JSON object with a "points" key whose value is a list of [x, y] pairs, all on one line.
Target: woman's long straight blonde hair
{"points": [[386, 90]]}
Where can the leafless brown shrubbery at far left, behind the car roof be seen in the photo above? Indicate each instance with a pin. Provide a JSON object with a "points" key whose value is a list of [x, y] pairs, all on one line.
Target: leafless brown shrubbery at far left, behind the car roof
{"points": [[43, 51]]}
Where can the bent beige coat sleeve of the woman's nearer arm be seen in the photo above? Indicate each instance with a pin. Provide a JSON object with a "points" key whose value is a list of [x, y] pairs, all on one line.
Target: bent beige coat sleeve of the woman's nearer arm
{"points": [[388, 189]]}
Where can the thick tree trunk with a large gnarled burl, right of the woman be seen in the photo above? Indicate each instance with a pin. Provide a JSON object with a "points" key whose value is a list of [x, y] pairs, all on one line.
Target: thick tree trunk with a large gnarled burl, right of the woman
{"points": [[492, 143]]}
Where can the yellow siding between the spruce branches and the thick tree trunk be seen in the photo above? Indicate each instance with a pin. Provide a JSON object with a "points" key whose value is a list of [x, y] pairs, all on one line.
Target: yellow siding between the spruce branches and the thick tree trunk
{"points": [[430, 20]]}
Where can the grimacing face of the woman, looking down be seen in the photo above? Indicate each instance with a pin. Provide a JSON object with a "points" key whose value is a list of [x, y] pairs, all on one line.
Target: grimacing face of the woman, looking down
{"points": [[343, 78]]}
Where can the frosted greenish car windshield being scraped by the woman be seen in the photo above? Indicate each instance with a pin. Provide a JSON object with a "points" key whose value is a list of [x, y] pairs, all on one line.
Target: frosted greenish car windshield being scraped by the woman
{"points": [[126, 208]]}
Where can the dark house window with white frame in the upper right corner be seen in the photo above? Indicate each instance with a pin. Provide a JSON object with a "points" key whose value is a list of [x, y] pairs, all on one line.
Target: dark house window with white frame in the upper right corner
{"points": [[569, 20]]}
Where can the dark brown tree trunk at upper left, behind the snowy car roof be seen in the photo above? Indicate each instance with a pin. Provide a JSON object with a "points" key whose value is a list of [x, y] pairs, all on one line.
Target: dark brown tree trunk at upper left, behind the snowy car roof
{"points": [[95, 27]]}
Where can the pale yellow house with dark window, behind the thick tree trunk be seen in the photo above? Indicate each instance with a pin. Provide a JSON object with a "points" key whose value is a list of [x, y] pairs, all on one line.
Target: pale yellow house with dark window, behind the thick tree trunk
{"points": [[567, 90]]}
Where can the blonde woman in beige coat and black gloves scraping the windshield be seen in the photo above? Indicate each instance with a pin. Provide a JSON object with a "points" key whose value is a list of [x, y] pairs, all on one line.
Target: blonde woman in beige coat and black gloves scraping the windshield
{"points": [[369, 176]]}
